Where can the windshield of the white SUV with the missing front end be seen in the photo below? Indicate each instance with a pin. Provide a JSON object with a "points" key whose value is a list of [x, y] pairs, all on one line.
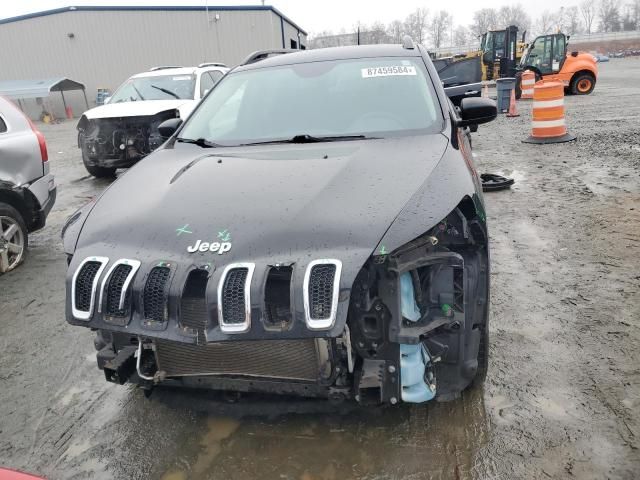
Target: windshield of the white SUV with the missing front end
{"points": [[158, 87]]}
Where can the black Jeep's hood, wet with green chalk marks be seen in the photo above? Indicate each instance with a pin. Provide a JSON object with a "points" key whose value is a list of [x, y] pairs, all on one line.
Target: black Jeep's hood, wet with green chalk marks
{"points": [[277, 203]]}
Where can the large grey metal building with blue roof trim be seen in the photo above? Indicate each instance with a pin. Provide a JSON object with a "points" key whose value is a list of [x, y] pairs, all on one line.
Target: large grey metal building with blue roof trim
{"points": [[102, 46]]}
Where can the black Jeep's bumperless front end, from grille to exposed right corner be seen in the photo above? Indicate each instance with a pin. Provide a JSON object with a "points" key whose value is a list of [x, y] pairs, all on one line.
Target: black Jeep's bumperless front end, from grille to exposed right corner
{"points": [[416, 321]]}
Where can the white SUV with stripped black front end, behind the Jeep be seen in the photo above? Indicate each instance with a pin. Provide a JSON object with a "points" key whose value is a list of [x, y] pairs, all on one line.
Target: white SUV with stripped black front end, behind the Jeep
{"points": [[125, 129]]}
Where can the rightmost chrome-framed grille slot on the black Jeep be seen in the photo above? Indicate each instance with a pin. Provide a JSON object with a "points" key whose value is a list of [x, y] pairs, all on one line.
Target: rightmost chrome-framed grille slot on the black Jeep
{"points": [[321, 289]]}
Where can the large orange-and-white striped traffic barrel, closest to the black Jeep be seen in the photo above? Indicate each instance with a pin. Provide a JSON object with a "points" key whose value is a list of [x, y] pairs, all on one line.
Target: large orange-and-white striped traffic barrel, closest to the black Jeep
{"points": [[548, 124]]}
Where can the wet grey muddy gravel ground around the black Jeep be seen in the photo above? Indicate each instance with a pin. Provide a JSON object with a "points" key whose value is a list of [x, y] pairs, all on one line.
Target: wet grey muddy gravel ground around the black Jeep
{"points": [[562, 399]]}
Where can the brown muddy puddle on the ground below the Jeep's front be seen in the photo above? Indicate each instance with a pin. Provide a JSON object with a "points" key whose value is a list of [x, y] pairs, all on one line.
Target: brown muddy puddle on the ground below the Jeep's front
{"points": [[432, 441]]}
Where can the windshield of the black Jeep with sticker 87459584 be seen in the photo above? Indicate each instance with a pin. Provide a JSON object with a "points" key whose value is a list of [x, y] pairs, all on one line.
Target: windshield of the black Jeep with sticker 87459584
{"points": [[369, 97]]}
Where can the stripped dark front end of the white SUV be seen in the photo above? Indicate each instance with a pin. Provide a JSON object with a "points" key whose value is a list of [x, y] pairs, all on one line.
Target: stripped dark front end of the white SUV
{"points": [[120, 142]]}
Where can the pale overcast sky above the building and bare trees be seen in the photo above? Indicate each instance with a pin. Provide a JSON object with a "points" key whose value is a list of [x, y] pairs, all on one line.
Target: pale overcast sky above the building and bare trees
{"points": [[313, 15]]}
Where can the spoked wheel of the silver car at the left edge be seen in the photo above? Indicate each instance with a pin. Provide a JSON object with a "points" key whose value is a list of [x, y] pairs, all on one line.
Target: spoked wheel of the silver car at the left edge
{"points": [[13, 238]]}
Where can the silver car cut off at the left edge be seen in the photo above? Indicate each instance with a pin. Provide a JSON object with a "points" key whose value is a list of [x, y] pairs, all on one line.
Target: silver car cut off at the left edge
{"points": [[27, 189]]}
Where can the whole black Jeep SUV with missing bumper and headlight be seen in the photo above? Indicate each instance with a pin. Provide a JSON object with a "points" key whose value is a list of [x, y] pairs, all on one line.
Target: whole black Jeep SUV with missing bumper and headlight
{"points": [[316, 227]]}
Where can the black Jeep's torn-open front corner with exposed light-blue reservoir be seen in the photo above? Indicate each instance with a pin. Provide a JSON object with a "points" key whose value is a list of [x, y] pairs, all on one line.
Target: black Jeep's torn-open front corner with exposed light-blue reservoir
{"points": [[425, 304]]}
